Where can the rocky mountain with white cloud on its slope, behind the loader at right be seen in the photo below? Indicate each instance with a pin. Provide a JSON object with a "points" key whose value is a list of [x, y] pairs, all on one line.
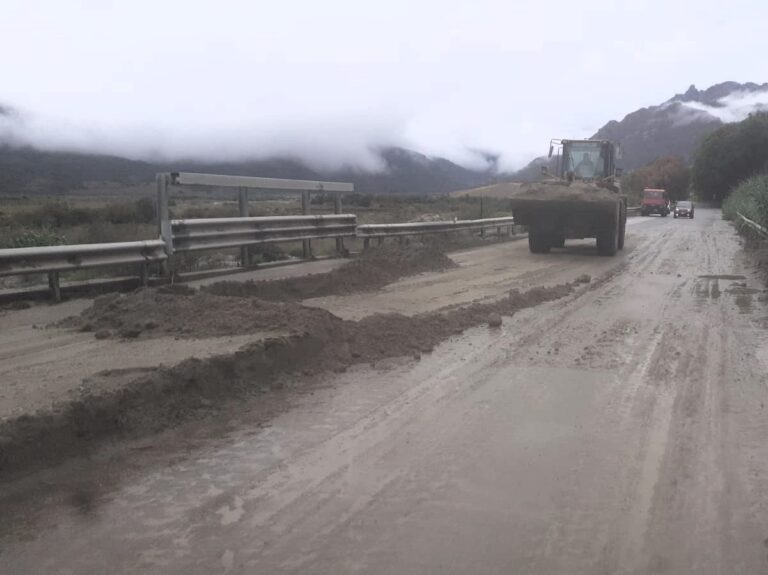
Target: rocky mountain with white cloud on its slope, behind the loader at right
{"points": [[674, 127]]}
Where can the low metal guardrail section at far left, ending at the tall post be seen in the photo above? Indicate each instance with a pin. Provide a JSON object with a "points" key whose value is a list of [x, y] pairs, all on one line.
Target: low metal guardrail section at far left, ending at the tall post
{"points": [[55, 259]]}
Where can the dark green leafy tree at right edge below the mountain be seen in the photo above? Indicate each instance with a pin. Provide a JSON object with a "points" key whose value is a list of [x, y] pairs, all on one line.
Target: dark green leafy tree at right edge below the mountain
{"points": [[730, 155]]}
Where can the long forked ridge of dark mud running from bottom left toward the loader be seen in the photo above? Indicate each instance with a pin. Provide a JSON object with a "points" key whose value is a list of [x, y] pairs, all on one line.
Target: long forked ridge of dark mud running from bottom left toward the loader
{"points": [[148, 400]]}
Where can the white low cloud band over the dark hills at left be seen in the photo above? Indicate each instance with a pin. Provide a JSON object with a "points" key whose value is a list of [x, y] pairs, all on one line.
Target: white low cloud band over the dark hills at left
{"points": [[327, 144]]}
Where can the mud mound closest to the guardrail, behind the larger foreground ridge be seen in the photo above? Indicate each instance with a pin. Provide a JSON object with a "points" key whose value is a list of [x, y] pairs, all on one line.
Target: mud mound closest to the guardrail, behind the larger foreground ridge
{"points": [[372, 270]]}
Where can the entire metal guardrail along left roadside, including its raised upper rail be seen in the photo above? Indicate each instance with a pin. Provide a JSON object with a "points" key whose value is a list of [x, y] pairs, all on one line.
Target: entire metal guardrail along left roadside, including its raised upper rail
{"points": [[186, 235]]}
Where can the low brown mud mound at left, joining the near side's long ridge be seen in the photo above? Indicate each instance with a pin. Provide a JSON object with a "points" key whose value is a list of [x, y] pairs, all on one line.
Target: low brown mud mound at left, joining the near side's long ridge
{"points": [[155, 312]]}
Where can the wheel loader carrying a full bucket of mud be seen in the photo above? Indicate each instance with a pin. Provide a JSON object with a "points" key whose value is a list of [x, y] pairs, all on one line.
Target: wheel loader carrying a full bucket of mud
{"points": [[581, 200]]}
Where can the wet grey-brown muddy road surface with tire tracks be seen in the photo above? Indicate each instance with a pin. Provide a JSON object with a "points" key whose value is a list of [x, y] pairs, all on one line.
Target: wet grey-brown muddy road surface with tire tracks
{"points": [[621, 429]]}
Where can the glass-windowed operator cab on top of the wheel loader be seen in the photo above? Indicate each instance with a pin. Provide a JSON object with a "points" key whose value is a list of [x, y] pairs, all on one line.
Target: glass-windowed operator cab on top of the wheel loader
{"points": [[585, 160]]}
